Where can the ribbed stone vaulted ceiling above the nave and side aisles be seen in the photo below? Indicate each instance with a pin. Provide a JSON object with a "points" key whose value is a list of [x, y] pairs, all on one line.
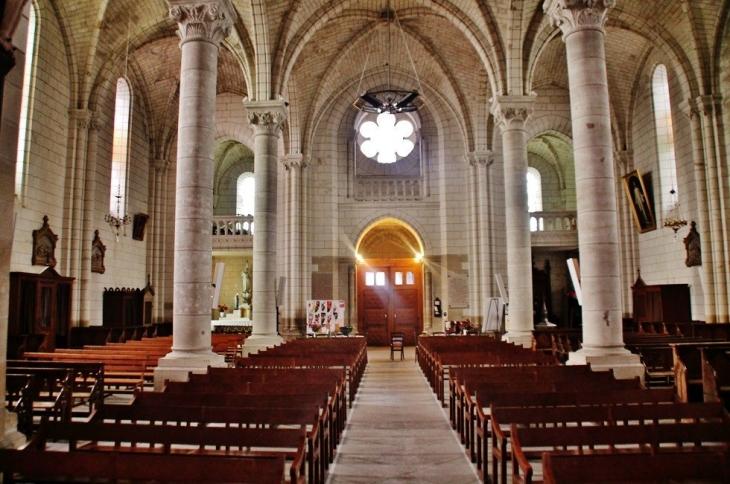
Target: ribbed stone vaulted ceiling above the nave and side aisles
{"points": [[312, 53]]}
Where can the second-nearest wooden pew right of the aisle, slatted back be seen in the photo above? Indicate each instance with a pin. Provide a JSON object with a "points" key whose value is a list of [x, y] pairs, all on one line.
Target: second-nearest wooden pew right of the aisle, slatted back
{"points": [[528, 444]]}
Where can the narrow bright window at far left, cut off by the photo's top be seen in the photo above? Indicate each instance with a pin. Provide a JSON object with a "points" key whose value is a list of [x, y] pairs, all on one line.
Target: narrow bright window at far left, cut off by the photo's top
{"points": [[26, 104]]}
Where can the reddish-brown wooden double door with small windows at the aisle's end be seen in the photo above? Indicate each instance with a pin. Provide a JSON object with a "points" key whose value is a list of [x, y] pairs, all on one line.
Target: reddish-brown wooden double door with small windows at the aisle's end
{"points": [[390, 298]]}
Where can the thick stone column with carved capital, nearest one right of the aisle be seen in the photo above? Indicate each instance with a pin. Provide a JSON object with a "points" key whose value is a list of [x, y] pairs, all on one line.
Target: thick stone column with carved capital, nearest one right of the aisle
{"points": [[582, 22]]}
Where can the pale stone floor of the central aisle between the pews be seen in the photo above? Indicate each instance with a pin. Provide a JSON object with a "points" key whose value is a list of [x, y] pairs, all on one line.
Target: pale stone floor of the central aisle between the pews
{"points": [[396, 430]]}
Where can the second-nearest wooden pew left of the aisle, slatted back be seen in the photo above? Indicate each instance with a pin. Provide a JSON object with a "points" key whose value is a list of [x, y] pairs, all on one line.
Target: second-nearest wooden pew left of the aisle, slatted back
{"points": [[220, 441]]}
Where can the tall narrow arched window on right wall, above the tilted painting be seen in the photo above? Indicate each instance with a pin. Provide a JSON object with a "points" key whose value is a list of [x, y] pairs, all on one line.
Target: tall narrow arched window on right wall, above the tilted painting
{"points": [[664, 136]]}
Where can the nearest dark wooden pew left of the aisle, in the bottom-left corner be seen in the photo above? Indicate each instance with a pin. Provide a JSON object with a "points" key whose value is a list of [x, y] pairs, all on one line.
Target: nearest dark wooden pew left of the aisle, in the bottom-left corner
{"points": [[49, 466]]}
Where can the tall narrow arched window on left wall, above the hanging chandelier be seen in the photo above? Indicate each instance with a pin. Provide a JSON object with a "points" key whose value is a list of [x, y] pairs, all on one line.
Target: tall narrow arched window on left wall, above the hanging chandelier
{"points": [[120, 148]]}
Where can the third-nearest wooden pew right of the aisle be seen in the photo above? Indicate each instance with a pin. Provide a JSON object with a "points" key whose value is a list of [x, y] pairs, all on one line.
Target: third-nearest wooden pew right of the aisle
{"points": [[503, 417]]}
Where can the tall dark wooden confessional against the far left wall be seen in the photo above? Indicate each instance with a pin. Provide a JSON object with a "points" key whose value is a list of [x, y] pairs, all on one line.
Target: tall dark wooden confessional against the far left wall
{"points": [[40, 304]]}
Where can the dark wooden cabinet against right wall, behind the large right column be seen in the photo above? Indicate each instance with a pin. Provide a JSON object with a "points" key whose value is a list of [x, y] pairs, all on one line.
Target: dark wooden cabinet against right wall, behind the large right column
{"points": [[669, 303]]}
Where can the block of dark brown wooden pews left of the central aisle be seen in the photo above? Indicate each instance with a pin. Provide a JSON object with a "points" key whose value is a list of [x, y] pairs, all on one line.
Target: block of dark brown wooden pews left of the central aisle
{"points": [[262, 424]]}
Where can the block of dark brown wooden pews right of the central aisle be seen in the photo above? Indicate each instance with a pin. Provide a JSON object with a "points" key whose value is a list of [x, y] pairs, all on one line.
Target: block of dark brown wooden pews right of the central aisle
{"points": [[546, 422]]}
